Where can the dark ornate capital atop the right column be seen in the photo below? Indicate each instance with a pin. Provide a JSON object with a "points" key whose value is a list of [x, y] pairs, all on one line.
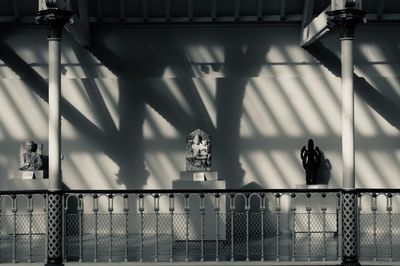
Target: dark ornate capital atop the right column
{"points": [[346, 20]]}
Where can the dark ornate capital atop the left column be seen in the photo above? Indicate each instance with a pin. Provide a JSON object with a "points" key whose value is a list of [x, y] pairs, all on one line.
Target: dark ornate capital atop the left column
{"points": [[54, 19]]}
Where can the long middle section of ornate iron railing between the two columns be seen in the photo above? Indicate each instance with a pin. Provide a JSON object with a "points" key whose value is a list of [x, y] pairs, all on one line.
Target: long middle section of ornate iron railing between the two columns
{"points": [[201, 226]]}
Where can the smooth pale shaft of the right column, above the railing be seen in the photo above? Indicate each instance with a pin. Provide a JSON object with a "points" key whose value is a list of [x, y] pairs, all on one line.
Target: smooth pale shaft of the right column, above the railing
{"points": [[348, 153]]}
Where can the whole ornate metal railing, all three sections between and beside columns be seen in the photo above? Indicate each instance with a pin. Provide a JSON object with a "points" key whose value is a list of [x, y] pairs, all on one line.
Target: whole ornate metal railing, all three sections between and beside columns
{"points": [[199, 225]]}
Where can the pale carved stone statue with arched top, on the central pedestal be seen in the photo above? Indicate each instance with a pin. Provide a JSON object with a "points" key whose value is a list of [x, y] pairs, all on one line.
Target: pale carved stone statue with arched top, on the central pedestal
{"points": [[198, 151]]}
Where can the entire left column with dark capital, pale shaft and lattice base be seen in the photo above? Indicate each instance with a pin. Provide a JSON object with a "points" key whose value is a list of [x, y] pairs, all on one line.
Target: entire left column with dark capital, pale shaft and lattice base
{"points": [[54, 19]]}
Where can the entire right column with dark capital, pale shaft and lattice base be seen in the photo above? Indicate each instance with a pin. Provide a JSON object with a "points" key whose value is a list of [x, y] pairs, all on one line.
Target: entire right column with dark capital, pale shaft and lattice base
{"points": [[346, 20]]}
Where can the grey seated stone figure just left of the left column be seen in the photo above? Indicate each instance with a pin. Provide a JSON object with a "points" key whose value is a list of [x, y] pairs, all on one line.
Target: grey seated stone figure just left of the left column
{"points": [[31, 160]]}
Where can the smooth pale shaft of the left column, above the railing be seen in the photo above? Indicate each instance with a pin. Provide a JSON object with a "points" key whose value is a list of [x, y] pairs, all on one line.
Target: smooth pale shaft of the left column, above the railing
{"points": [[54, 114]]}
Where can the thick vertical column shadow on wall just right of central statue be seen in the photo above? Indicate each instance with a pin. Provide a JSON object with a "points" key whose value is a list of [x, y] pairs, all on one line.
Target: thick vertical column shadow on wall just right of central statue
{"points": [[241, 63]]}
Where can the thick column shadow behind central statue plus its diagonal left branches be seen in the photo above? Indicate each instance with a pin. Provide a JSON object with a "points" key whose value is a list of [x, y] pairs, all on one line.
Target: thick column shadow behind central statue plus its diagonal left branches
{"points": [[241, 63]]}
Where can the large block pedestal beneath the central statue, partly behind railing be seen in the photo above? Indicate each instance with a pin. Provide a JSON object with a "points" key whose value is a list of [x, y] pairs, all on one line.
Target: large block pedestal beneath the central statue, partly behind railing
{"points": [[195, 214]]}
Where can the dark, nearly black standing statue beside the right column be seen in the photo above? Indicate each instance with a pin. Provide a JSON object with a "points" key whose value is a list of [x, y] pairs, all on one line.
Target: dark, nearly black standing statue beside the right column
{"points": [[311, 159]]}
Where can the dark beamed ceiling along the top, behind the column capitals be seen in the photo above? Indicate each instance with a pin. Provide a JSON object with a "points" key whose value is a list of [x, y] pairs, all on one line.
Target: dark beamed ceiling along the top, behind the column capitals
{"points": [[194, 11]]}
